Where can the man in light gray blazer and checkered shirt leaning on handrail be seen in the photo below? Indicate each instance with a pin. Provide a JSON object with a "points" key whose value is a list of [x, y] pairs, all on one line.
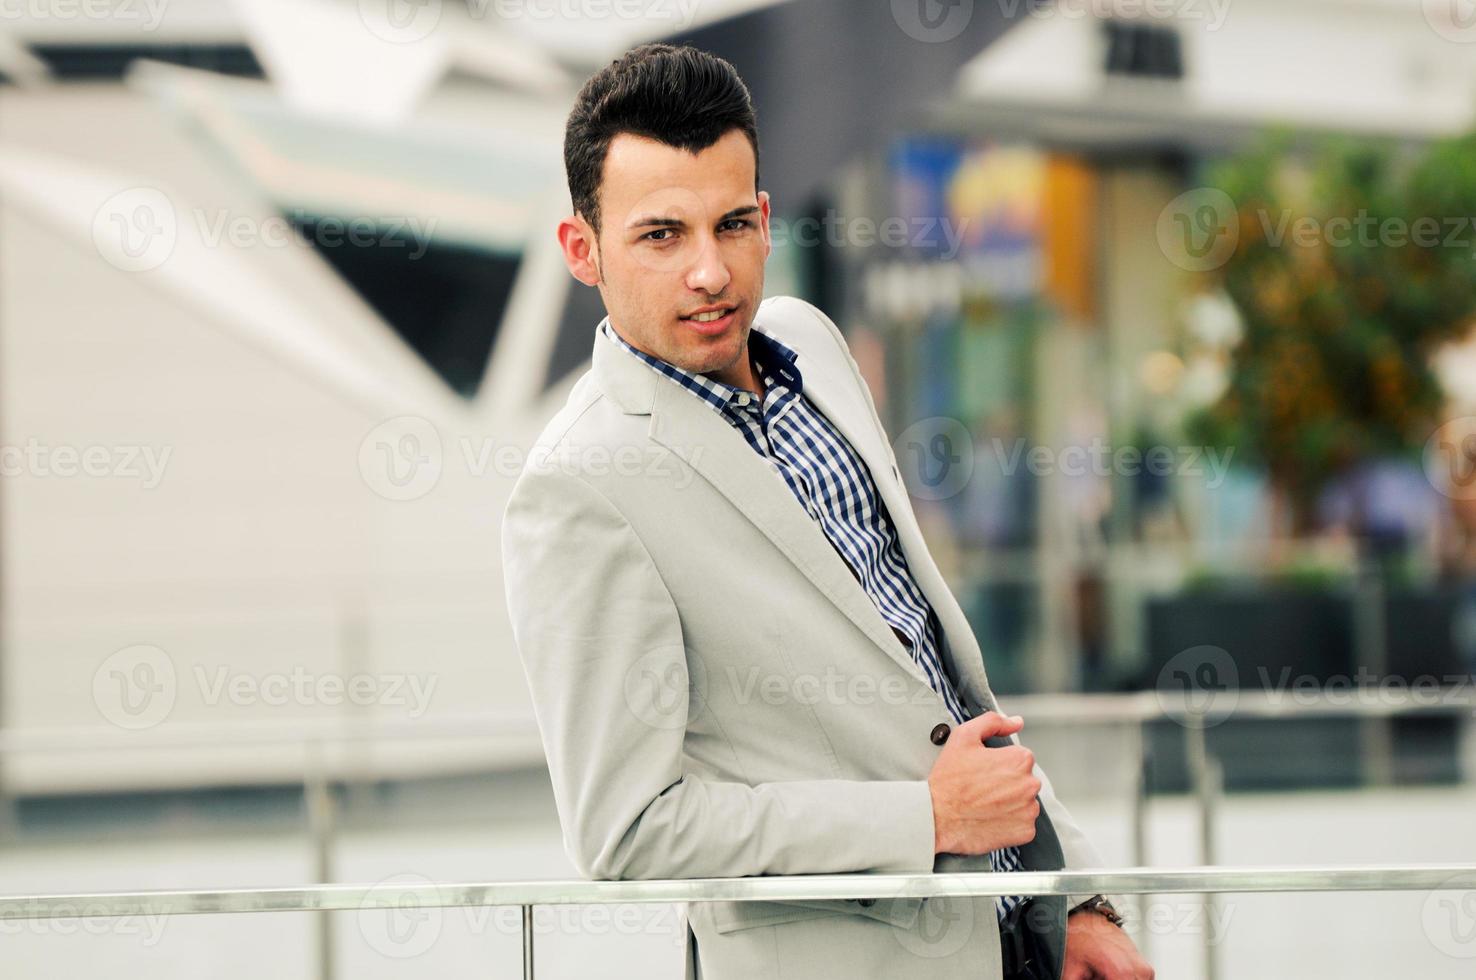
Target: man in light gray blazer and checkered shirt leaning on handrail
{"points": [[743, 659]]}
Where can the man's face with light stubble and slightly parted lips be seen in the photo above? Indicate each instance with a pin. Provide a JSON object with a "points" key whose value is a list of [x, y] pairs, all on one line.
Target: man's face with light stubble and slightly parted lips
{"points": [[680, 235]]}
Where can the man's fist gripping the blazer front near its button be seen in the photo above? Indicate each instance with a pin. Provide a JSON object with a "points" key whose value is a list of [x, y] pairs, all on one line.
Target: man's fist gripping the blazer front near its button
{"points": [[984, 799]]}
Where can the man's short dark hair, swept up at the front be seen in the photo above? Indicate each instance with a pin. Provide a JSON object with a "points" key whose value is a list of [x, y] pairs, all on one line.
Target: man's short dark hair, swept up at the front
{"points": [[681, 97]]}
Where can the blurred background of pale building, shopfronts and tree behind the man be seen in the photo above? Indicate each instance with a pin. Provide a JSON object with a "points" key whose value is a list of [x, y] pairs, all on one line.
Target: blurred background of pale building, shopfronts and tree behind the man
{"points": [[1167, 305]]}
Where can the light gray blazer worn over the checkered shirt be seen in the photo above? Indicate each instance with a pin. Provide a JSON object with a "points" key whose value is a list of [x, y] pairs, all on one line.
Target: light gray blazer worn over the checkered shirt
{"points": [[715, 691]]}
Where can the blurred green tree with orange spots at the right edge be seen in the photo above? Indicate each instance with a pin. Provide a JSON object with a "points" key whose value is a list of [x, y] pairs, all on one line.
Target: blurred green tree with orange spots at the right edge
{"points": [[1353, 265]]}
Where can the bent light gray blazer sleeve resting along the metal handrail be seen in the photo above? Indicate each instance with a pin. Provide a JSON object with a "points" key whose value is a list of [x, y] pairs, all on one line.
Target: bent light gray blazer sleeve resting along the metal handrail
{"points": [[594, 624]]}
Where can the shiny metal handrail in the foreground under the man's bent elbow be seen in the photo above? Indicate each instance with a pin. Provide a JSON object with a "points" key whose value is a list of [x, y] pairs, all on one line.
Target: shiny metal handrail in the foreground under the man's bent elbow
{"points": [[328, 898]]}
